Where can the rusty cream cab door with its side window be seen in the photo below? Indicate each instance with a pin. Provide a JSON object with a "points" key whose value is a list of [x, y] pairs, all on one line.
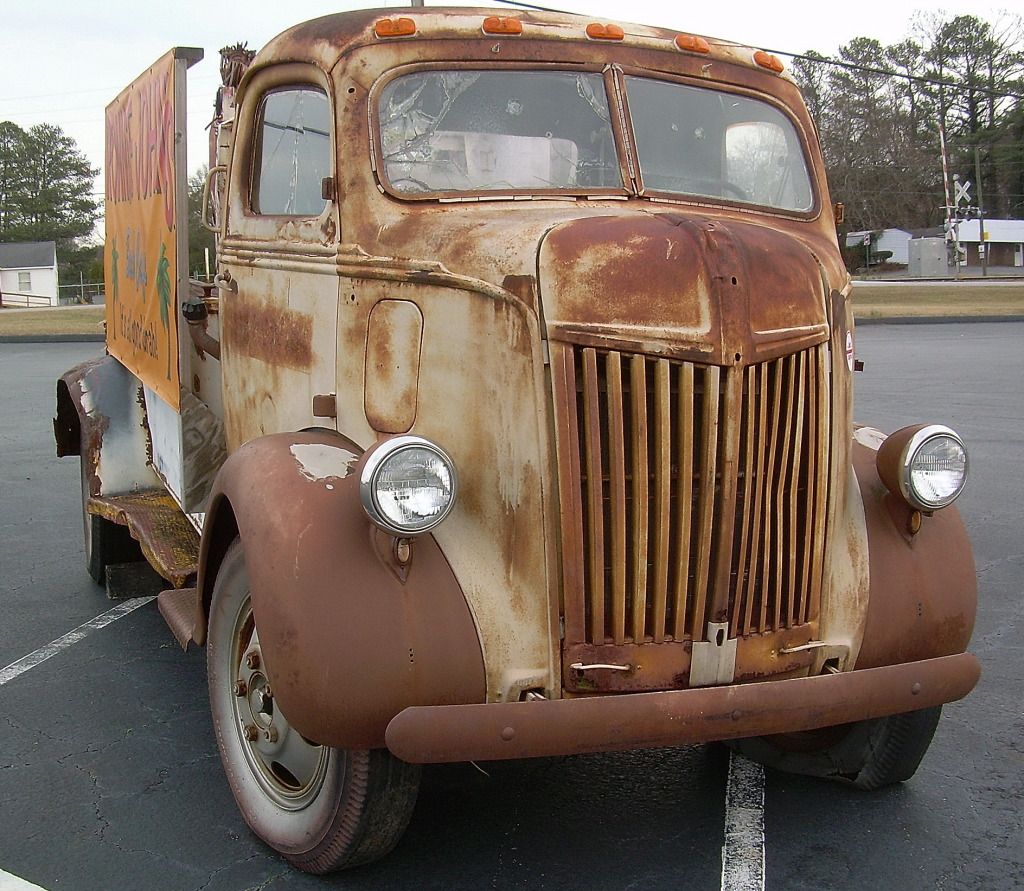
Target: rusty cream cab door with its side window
{"points": [[279, 285]]}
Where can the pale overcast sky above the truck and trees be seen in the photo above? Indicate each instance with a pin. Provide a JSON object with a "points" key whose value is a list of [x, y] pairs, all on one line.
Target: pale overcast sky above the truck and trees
{"points": [[63, 61]]}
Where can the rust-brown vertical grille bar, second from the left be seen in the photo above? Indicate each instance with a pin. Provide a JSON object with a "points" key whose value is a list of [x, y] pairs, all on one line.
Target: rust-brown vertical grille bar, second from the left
{"points": [[595, 495]]}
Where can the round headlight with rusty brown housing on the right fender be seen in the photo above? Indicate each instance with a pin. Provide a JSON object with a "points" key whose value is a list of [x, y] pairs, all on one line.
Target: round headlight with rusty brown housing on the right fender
{"points": [[927, 465]]}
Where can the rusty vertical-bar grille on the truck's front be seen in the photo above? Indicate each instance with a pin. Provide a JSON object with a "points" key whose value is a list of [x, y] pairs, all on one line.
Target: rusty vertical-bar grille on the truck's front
{"points": [[690, 494]]}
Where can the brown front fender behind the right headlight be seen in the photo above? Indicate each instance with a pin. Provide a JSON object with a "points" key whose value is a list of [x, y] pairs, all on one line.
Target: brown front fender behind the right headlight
{"points": [[924, 592]]}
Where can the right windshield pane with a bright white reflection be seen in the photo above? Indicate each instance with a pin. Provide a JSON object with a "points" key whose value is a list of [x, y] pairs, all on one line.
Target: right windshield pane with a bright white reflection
{"points": [[701, 142]]}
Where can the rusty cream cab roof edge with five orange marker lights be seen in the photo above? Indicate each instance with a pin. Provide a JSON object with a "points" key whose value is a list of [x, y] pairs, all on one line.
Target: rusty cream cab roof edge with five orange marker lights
{"points": [[323, 41]]}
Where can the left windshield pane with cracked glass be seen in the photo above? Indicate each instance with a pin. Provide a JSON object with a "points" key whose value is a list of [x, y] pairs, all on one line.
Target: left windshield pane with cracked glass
{"points": [[468, 132]]}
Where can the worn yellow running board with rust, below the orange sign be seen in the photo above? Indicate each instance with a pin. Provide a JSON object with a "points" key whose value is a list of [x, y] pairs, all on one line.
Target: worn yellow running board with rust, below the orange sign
{"points": [[169, 541]]}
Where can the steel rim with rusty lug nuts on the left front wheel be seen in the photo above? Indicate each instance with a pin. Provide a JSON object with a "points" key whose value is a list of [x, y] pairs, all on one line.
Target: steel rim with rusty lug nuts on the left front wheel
{"points": [[290, 771]]}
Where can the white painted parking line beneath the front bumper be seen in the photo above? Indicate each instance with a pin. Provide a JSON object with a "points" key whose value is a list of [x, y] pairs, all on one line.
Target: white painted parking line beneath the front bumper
{"points": [[744, 852]]}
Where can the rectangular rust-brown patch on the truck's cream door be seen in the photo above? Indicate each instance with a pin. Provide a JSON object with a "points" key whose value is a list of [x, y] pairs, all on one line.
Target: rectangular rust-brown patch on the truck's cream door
{"points": [[272, 334]]}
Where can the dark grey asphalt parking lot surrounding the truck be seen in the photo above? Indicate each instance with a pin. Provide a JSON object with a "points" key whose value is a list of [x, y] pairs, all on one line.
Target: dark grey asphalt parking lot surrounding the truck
{"points": [[110, 777]]}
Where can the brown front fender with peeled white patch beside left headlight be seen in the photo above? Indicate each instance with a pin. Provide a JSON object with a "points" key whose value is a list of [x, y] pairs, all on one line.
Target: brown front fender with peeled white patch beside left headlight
{"points": [[349, 637]]}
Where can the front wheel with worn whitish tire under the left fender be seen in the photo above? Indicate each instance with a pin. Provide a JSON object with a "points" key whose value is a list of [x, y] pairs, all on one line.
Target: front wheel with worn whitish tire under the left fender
{"points": [[322, 809]]}
